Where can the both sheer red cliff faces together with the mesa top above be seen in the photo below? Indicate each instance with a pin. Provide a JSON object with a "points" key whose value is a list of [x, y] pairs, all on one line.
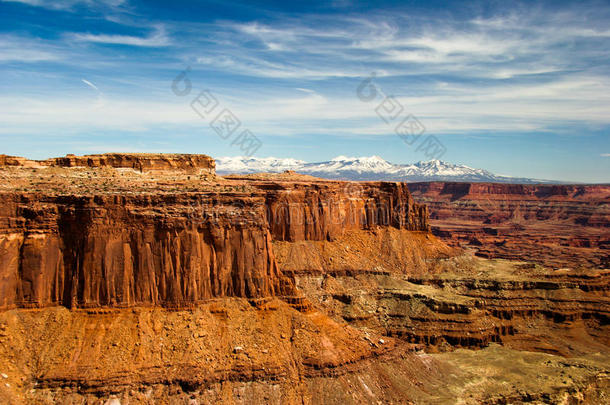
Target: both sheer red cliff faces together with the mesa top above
{"points": [[99, 243]]}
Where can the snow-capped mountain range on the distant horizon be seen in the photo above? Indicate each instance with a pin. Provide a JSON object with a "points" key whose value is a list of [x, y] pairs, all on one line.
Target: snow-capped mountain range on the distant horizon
{"points": [[365, 168]]}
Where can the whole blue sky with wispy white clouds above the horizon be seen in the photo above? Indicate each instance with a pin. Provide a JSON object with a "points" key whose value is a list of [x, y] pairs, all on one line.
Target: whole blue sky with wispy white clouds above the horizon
{"points": [[520, 89]]}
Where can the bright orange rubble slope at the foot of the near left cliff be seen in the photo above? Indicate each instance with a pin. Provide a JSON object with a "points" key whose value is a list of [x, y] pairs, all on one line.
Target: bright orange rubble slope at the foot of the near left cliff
{"points": [[151, 355]]}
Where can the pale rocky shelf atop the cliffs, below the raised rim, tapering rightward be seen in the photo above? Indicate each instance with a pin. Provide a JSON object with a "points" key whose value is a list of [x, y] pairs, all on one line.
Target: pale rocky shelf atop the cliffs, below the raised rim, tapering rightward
{"points": [[93, 181]]}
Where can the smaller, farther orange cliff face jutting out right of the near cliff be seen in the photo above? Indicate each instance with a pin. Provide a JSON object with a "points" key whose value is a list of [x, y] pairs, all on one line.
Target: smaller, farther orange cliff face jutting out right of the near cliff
{"points": [[327, 210]]}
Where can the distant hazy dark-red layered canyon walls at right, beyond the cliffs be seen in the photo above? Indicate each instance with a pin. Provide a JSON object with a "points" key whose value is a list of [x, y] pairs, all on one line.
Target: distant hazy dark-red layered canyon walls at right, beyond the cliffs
{"points": [[559, 225]]}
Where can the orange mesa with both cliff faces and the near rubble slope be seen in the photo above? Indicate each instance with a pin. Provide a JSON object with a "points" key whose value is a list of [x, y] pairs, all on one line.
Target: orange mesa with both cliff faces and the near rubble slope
{"points": [[96, 240]]}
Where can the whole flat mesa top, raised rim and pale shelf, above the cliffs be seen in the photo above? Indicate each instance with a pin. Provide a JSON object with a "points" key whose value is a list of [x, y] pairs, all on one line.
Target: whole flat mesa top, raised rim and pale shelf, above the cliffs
{"points": [[142, 173]]}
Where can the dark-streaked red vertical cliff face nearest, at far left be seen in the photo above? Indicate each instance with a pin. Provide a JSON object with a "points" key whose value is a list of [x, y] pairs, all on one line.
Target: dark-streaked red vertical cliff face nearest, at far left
{"points": [[140, 250]]}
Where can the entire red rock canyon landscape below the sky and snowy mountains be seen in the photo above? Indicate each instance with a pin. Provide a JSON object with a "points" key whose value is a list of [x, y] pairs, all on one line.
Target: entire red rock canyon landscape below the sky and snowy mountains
{"points": [[137, 278]]}
